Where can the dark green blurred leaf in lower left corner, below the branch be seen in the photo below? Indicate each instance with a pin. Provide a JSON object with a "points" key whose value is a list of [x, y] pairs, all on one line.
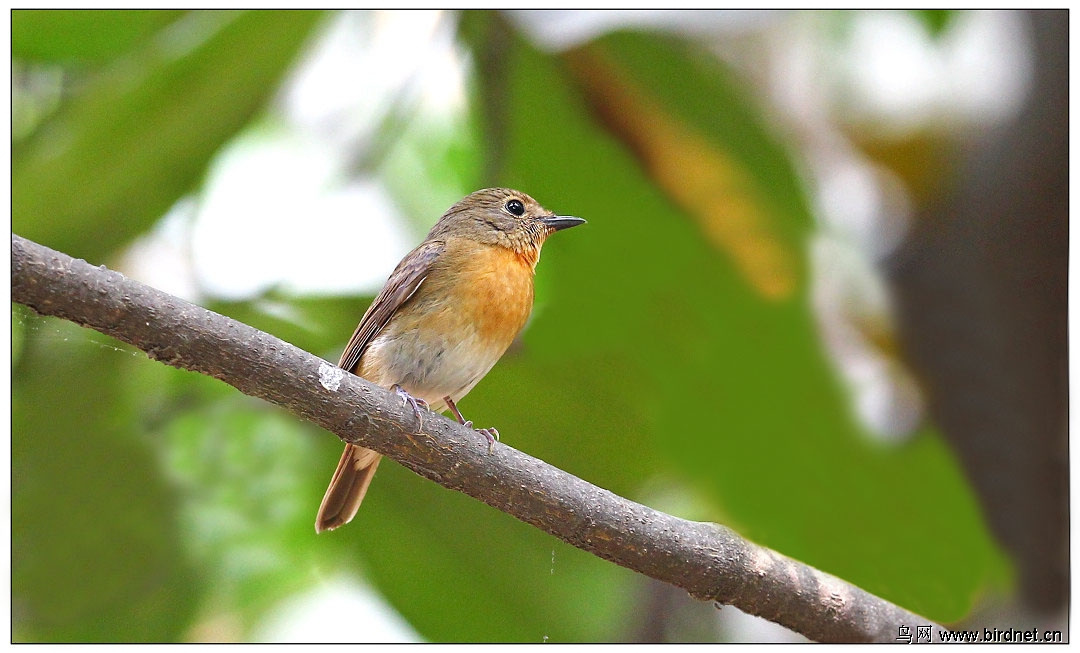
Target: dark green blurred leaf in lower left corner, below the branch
{"points": [[97, 549]]}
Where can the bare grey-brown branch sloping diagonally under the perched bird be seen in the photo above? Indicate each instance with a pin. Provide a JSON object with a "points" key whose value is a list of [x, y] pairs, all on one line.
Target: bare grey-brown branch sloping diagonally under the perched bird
{"points": [[710, 562]]}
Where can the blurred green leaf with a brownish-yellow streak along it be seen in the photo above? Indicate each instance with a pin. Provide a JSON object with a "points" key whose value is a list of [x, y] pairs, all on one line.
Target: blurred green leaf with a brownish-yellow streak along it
{"points": [[722, 167]]}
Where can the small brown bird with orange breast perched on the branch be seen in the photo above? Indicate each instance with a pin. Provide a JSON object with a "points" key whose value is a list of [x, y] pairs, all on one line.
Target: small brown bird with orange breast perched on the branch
{"points": [[444, 318]]}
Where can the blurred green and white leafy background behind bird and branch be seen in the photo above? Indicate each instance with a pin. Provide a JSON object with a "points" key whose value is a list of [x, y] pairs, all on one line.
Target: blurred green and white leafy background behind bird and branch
{"points": [[820, 300]]}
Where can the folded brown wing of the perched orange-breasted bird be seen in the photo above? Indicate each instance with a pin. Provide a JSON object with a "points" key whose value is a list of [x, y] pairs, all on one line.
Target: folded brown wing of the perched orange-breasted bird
{"points": [[403, 283]]}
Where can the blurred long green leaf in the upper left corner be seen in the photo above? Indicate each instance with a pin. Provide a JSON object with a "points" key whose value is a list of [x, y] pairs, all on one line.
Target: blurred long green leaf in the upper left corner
{"points": [[109, 165]]}
